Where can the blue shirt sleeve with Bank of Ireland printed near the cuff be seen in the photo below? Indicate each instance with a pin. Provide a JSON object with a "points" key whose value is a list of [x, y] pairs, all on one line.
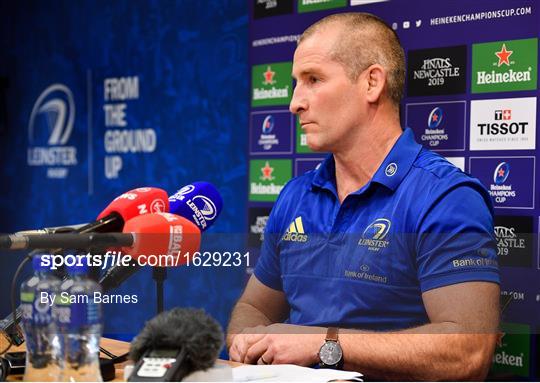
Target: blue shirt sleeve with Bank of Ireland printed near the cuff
{"points": [[456, 241]]}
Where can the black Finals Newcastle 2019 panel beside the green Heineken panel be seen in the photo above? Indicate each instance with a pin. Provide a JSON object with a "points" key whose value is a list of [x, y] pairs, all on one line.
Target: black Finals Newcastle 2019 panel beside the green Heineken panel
{"points": [[436, 71]]}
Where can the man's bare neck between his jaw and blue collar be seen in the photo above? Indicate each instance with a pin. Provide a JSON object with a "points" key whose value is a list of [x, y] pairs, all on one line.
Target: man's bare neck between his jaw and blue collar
{"points": [[356, 164]]}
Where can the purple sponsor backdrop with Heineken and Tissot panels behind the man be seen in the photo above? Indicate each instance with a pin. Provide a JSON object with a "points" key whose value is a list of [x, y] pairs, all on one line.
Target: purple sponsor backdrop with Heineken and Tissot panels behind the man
{"points": [[471, 95]]}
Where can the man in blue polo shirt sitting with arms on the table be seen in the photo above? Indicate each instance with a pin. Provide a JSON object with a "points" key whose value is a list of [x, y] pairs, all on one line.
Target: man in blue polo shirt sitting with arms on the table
{"points": [[384, 236]]}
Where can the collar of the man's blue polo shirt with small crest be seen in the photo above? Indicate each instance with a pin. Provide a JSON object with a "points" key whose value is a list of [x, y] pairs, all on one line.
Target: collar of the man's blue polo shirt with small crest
{"points": [[394, 168]]}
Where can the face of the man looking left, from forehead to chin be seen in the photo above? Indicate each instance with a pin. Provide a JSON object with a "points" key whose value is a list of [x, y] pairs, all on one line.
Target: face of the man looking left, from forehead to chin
{"points": [[328, 103]]}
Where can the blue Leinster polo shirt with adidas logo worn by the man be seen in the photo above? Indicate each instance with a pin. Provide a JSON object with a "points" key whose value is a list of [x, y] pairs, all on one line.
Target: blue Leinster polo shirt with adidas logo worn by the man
{"points": [[420, 223]]}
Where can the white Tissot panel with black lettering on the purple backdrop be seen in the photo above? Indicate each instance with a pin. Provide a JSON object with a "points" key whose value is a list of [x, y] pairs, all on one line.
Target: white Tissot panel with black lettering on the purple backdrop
{"points": [[503, 124]]}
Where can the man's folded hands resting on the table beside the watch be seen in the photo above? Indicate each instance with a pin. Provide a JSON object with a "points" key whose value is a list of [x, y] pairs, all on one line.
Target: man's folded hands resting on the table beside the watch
{"points": [[279, 344]]}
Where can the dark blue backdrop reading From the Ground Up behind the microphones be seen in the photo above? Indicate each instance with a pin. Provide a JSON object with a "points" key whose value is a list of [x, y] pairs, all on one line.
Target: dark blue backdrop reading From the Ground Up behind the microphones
{"points": [[100, 97]]}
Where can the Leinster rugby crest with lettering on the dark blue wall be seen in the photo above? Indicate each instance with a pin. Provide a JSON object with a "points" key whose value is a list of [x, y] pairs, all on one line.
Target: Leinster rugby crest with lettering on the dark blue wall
{"points": [[49, 130]]}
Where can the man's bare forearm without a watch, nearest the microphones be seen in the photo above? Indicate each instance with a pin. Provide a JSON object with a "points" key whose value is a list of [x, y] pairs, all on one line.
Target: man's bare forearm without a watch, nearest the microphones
{"points": [[258, 306]]}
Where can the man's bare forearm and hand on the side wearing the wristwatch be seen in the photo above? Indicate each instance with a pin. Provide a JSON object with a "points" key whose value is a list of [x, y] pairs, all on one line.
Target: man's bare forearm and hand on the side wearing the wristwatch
{"points": [[458, 344]]}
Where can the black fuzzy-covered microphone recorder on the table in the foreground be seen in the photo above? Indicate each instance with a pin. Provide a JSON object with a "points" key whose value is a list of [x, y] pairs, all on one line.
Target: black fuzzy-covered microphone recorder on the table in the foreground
{"points": [[195, 336]]}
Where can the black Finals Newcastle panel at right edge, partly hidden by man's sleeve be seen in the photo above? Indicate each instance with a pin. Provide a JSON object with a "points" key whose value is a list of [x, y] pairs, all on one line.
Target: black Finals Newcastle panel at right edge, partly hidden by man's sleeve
{"points": [[515, 244]]}
